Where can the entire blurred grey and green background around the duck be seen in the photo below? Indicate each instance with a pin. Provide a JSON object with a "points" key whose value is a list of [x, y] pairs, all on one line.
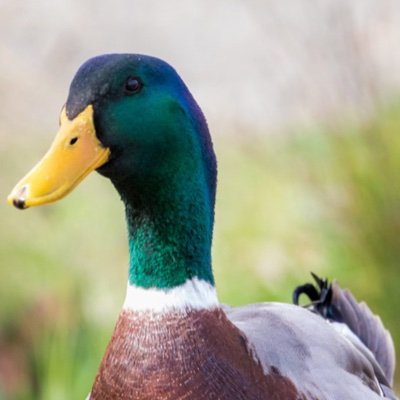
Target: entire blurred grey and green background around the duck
{"points": [[306, 130]]}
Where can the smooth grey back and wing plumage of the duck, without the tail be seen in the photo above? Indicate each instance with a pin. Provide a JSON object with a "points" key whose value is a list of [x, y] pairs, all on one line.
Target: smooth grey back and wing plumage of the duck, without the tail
{"points": [[321, 363]]}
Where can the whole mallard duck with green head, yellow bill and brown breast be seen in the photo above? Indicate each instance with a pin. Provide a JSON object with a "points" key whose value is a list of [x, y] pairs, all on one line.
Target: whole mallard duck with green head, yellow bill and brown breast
{"points": [[132, 119]]}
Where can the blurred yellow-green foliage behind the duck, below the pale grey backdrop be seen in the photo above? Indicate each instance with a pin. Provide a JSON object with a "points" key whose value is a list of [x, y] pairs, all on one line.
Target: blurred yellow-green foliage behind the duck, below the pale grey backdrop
{"points": [[324, 200]]}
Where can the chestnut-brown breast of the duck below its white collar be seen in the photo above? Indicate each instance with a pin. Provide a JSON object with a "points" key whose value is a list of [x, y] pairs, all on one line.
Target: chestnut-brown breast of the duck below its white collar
{"points": [[196, 355]]}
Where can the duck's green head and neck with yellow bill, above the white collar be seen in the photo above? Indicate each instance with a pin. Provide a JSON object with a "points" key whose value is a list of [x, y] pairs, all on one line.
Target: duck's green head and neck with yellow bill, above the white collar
{"points": [[141, 127]]}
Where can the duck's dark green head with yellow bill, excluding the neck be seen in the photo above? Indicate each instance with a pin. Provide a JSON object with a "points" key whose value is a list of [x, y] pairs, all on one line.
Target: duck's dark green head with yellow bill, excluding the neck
{"points": [[131, 118]]}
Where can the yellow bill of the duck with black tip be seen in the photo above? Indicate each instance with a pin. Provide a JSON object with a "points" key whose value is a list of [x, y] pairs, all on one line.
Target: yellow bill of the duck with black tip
{"points": [[75, 153]]}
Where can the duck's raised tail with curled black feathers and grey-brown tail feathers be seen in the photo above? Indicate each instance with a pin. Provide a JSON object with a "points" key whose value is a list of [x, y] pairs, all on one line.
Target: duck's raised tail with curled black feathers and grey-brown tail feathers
{"points": [[339, 305]]}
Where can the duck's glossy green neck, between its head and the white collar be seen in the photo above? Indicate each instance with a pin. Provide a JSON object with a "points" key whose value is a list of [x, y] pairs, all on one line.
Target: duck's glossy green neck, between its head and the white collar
{"points": [[169, 229]]}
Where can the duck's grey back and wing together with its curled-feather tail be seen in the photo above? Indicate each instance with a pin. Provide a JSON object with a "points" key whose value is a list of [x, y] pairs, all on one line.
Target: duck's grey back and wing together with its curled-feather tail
{"points": [[347, 354]]}
